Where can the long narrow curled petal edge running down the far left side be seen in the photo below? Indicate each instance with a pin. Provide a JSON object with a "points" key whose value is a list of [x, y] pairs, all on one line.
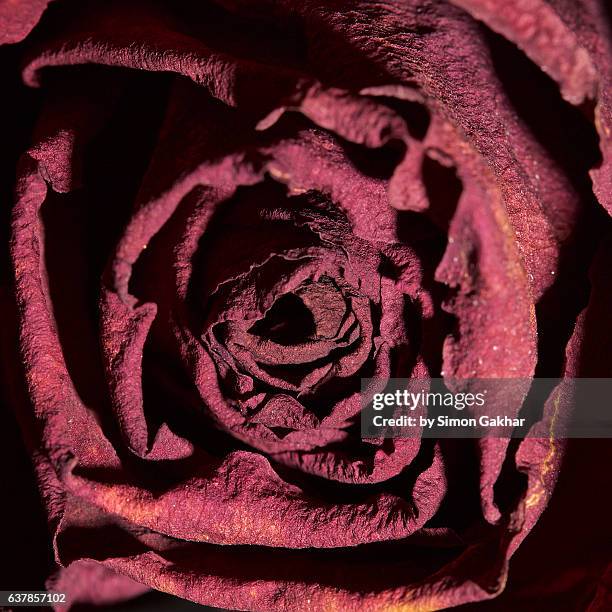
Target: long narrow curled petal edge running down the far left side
{"points": [[58, 409]]}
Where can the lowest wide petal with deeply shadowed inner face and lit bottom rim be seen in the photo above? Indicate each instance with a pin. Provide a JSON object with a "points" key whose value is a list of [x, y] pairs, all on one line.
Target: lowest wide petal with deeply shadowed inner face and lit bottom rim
{"points": [[258, 578]]}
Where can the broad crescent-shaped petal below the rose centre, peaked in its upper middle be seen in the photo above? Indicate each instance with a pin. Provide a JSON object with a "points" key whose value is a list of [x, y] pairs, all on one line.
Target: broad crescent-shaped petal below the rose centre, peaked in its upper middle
{"points": [[241, 500]]}
